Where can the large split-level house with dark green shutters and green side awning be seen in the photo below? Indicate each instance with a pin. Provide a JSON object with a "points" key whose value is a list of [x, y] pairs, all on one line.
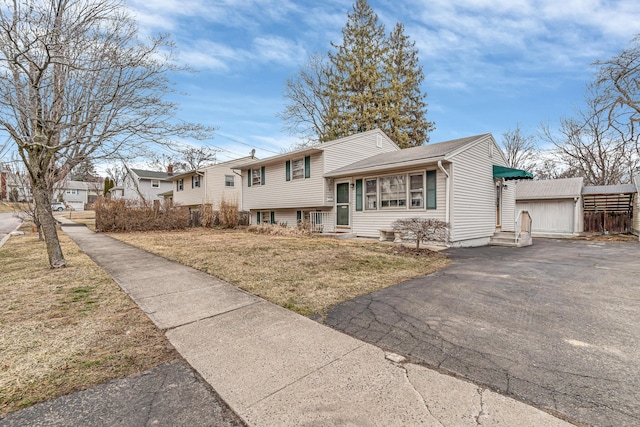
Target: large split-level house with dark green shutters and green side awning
{"points": [[362, 183]]}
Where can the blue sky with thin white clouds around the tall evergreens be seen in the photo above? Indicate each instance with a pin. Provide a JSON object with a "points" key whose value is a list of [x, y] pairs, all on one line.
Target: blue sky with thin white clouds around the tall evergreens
{"points": [[488, 64]]}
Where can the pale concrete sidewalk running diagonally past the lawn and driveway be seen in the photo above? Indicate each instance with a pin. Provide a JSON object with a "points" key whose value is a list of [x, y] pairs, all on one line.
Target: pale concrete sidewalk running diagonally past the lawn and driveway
{"points": [[275, 367]]}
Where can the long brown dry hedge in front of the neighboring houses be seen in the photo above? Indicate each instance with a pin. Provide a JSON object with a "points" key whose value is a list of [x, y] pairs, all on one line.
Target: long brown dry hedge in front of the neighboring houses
{"points": [[127, 215]]}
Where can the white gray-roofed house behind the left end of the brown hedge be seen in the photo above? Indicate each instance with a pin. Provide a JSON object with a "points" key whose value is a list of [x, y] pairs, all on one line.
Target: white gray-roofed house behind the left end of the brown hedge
{"points": [[143, 185]]}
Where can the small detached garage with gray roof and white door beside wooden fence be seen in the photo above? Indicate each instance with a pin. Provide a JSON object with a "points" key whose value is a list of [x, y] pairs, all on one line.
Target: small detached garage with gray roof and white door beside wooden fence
{"points": [[555, 206]]}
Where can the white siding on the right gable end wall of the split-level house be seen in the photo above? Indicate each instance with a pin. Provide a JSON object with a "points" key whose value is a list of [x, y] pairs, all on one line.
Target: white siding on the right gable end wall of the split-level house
{"points": [[473, 207]]}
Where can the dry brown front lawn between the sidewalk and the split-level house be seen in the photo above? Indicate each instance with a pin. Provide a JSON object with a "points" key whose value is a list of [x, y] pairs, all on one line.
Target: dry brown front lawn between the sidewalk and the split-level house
{"points": [[305, 274]]}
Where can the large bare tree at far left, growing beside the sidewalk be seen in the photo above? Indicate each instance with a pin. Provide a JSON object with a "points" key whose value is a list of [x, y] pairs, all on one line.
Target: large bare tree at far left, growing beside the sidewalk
{"points": [[76, 82]]}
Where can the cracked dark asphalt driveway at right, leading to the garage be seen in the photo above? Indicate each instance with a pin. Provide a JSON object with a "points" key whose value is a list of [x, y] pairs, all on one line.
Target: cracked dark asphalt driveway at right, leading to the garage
{"points": [[556, 324]]}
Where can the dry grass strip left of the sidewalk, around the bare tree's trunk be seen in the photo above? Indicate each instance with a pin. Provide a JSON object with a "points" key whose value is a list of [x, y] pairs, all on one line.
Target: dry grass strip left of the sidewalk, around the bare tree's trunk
{"points": [[68, 329]]}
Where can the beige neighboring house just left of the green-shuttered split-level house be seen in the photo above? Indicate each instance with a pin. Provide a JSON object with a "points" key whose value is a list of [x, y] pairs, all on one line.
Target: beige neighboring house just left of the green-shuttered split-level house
{"points": [[209, 185]]}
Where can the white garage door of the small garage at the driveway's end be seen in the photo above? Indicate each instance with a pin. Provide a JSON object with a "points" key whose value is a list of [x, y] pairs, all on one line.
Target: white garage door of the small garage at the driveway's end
{"points": [[555, 216]]}
